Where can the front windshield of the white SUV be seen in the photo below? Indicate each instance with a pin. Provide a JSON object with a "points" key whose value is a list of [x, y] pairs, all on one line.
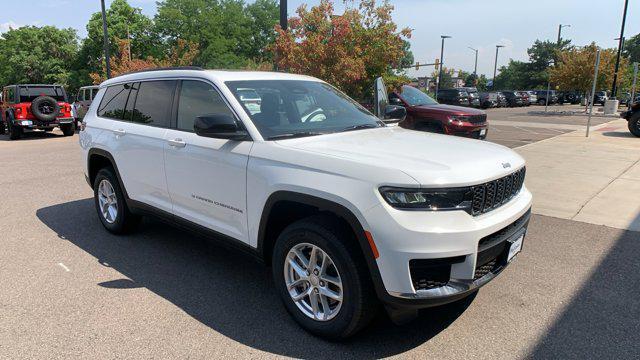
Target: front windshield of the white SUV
{"points": [[292, 108]]}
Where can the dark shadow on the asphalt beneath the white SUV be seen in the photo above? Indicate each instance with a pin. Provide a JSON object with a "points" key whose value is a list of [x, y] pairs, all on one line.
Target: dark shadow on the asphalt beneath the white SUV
{"points": [[225, 290]]}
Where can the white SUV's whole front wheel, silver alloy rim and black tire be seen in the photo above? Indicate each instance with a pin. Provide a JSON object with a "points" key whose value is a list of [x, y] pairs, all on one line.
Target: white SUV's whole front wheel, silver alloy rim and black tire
{"points": [[330, 238]]}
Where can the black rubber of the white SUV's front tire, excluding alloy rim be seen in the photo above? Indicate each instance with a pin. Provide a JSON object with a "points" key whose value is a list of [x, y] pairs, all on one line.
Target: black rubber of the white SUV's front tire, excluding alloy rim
{"points": [[343, 321]]}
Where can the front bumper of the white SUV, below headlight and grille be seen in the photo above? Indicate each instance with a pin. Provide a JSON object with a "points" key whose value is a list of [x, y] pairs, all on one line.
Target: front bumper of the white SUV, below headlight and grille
{"points": [[453, 238]]}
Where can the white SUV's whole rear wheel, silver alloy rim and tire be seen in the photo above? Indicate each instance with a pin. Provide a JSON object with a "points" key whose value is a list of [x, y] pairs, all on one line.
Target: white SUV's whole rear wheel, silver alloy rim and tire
{"points": [[120, 221]]}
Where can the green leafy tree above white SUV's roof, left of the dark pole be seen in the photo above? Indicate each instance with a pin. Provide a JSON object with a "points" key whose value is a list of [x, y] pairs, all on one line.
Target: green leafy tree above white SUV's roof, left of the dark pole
{"points": [[229, 33]]}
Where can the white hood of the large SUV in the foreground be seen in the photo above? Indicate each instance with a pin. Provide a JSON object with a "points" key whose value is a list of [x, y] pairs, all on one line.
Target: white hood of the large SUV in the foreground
{"points": [[433, 160]]}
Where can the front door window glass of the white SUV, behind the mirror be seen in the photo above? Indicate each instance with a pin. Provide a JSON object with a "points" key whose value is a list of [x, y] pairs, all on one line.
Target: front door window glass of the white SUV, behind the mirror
{"points": [[198, 98]]}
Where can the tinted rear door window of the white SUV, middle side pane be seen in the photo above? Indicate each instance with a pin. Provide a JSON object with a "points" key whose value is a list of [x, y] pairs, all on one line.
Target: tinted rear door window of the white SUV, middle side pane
{"points": [[153, 103]]}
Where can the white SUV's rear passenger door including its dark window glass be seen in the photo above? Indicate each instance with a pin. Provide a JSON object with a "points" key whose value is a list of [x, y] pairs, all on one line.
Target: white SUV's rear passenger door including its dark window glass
{"points": [[142, 115]]}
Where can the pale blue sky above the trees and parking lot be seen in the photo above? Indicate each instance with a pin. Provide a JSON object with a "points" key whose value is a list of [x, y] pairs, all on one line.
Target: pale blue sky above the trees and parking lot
{"points": [[481, 24]]}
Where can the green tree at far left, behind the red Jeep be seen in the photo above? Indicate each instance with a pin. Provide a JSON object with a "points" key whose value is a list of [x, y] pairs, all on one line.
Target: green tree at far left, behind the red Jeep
{"points": [[37, 55]]}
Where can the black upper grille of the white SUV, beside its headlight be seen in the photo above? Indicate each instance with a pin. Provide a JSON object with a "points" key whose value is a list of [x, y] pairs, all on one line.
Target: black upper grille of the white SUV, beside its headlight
{"points": [[493, 194]]}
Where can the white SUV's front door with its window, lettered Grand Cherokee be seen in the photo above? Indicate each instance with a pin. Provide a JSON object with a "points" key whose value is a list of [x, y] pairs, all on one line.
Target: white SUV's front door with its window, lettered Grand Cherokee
{"points": [[206, 176]]}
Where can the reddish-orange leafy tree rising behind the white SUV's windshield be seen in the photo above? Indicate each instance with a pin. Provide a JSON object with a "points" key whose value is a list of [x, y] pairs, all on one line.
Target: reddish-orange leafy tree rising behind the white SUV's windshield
{"points": [[348, 50]]}
